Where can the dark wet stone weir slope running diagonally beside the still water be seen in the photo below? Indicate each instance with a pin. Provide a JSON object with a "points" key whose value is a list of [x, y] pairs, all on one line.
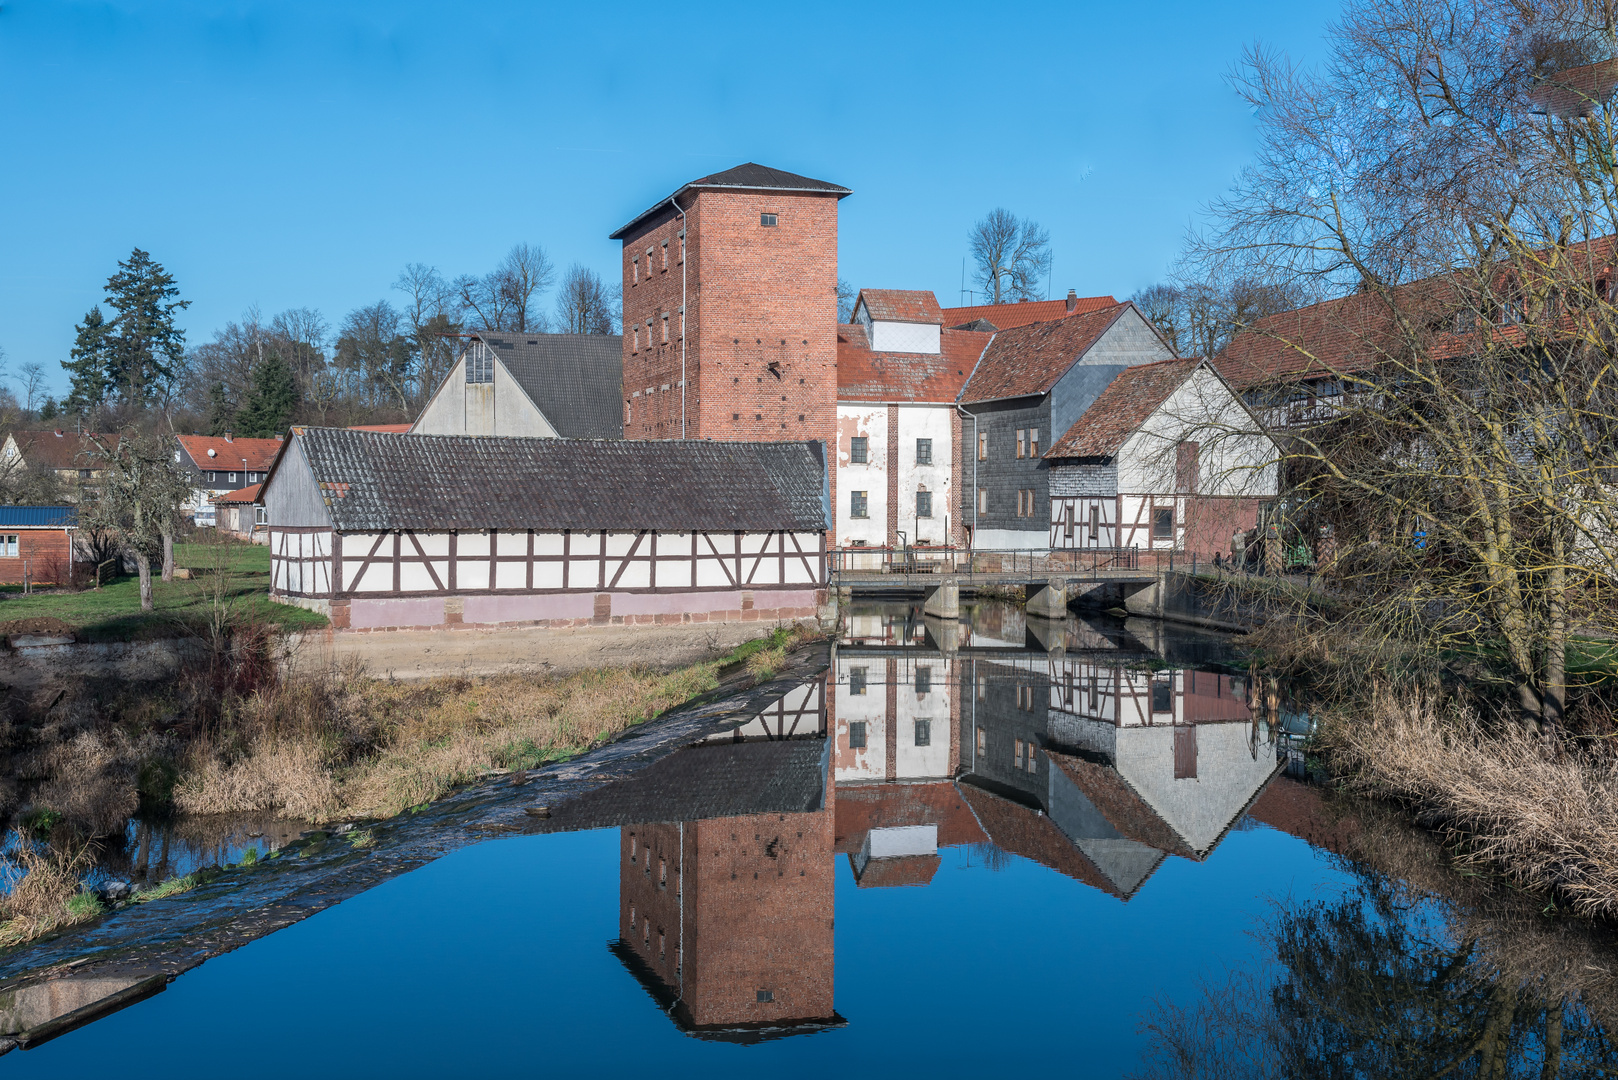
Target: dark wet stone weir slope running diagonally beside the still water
{"points": [[142, 946]]}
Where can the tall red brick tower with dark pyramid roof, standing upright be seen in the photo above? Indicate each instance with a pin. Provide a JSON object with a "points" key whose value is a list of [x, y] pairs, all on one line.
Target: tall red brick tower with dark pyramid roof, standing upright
{"points": [[734, 283]]}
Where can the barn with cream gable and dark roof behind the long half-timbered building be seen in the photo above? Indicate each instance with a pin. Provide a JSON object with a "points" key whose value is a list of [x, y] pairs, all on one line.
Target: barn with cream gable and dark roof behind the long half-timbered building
{"points": [[562, 386]]}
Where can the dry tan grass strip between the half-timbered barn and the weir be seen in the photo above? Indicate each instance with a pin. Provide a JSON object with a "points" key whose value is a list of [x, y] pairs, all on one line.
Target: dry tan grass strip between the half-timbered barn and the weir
{"points": [[342, 746]]}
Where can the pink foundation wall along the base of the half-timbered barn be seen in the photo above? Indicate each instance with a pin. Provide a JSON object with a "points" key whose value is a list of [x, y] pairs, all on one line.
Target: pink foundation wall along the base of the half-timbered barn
{"points": [[574, 610]]}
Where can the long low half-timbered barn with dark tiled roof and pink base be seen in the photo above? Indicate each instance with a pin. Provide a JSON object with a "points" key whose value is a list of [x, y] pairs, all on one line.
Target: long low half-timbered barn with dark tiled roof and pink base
{"points": [[402, 530]]}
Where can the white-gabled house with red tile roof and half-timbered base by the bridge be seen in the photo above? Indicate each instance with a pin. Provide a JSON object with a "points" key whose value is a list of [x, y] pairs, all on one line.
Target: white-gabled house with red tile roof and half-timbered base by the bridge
{"points": [[1167, 457]]}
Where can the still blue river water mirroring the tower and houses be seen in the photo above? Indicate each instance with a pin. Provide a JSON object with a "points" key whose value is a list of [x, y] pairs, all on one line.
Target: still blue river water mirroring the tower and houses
{"points": [[975, 848]]}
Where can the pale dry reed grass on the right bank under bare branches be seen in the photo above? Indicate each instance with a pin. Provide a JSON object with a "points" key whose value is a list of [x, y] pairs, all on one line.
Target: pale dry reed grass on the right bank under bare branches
{"points": [[1540, 815]]}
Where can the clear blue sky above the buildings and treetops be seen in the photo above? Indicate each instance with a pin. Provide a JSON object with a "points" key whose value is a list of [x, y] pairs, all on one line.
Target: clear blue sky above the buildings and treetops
{"points": [[302, 153]]}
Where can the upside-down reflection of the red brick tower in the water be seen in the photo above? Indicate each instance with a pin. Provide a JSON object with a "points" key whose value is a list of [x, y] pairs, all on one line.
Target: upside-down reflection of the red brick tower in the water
{"points": [[753, 945]]}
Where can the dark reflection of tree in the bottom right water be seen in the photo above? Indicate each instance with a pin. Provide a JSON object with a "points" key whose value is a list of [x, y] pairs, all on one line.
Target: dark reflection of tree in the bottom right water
{"points": [[1381, 984]]}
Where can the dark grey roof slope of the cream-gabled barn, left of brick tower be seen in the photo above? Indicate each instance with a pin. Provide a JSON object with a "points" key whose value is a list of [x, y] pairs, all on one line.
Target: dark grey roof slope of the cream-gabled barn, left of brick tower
{"points": [[575, 380]]}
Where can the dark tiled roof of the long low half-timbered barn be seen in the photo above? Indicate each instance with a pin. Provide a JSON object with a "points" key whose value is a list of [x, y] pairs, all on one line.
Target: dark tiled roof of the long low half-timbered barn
{"points": [[396, 482]]}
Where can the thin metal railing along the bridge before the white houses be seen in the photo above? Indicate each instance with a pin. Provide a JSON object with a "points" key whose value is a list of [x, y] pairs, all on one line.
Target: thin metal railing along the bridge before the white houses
{"points": [[1033, 563]]}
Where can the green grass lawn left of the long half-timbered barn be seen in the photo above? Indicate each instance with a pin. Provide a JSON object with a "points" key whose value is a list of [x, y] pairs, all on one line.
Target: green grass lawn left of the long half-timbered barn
{"points": [[114, 613]]}
